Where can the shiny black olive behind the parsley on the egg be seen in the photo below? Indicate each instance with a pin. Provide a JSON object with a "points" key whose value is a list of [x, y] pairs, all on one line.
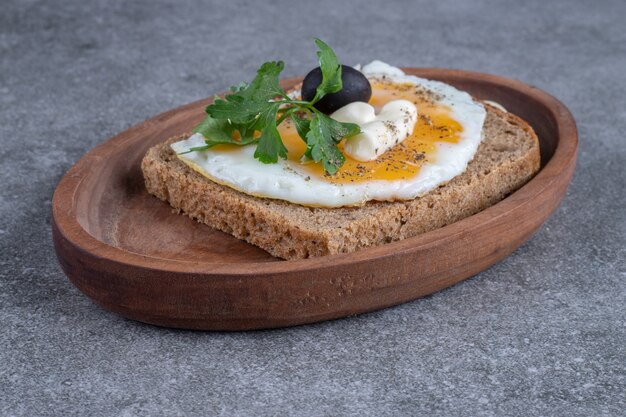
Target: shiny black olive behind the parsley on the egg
{"points": [[356, 87]]}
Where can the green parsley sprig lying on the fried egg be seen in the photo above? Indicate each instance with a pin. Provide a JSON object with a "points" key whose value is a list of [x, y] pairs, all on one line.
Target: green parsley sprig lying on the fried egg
{"points": [[251, 112]]}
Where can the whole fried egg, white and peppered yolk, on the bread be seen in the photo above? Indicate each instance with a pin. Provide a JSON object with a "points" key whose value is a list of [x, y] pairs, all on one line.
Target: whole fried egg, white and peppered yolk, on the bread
{"points": [[443, 141]]}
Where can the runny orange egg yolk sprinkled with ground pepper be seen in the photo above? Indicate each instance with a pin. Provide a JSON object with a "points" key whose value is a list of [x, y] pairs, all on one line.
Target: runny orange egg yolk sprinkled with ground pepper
{"points": [[403, 161]]}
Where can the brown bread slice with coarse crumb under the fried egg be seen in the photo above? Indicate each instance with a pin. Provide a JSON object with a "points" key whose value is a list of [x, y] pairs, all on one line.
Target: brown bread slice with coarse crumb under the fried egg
{"points": [[507, 158]]}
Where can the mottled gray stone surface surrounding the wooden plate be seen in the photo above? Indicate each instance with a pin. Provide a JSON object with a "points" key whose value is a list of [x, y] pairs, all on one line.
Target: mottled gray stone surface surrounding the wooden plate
{"points": [[541, 333]]}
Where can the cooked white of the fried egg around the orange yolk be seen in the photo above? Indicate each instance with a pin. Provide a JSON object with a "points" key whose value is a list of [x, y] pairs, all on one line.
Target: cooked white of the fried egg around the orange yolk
{"points": [[286, 180]]}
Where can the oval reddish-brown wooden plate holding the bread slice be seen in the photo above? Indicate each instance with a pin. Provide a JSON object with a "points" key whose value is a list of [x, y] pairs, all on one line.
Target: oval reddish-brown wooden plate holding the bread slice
{"points": [[131, 254]]}
